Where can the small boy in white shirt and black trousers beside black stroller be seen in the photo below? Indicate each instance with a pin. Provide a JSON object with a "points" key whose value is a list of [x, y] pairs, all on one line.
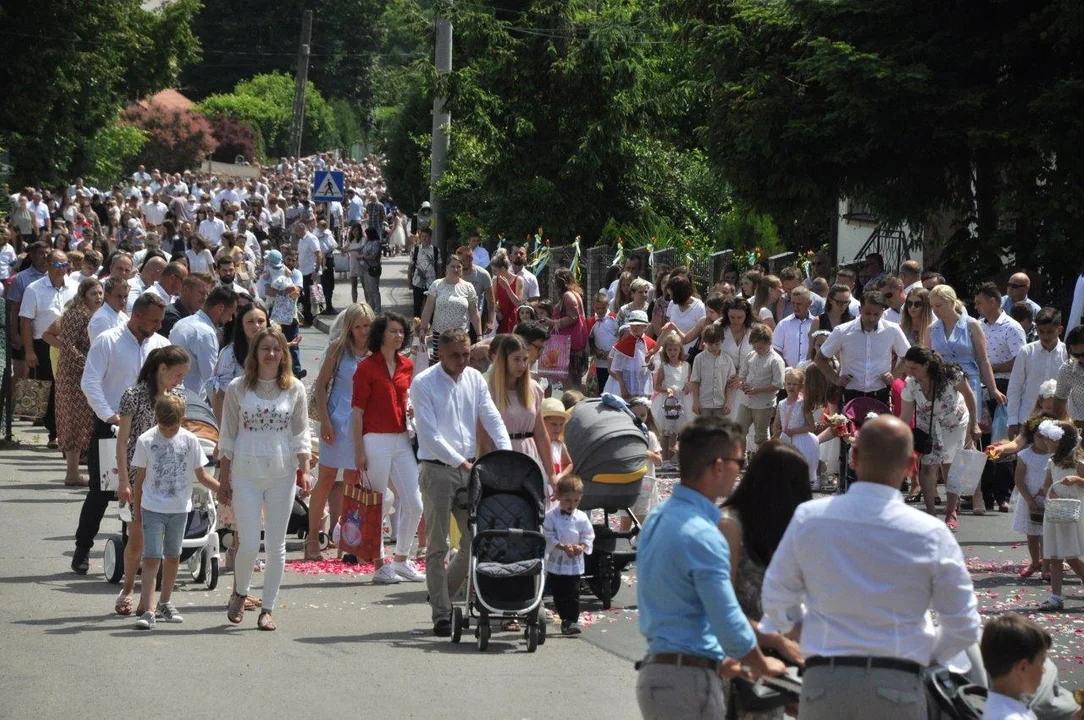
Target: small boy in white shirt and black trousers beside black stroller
{"points": [[569, 538]]}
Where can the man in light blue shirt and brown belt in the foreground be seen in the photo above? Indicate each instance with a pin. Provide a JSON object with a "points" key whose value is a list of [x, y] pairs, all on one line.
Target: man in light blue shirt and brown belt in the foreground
{"points": [[689, 613]]}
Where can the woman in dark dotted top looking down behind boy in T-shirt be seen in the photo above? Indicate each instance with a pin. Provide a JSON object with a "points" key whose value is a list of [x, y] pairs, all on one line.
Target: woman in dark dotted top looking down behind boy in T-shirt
{"points": [[161, 376]]}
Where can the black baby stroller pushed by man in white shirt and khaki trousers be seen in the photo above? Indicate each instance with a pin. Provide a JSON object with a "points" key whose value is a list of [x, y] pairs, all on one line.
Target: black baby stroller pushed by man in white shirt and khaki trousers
{"points": [[506, 510]]}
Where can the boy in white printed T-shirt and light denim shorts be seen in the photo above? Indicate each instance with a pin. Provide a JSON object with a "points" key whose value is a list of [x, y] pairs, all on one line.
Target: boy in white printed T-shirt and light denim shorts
{"points": [[167, 458]]}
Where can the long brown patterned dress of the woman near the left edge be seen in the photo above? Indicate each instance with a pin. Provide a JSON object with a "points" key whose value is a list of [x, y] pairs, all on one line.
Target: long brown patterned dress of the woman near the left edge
{"points": [[74, 417]]}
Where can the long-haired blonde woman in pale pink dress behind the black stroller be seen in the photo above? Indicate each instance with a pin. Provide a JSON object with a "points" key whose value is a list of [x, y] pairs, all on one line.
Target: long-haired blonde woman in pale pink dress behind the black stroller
{"points": [[519, 400]]}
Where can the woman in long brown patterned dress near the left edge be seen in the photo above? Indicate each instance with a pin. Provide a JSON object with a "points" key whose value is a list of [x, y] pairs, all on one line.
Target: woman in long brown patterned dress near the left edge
{"points": [[74, 416]]}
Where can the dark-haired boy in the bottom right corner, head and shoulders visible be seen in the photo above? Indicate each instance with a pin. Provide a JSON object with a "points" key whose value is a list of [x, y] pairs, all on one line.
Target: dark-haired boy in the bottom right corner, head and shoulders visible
{"points": [[1014, 651]]}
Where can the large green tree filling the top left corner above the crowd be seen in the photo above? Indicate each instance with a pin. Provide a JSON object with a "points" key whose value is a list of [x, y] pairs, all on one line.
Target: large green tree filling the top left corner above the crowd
{"points": [[72, 66]]}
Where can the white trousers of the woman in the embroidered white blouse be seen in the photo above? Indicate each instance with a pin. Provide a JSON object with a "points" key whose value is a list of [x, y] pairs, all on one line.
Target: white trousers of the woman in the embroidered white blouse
{"points": [[253, 497]]}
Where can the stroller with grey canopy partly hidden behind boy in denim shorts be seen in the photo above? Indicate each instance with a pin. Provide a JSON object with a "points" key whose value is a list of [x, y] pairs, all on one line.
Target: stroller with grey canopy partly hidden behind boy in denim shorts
{"points": [[201, 546]]}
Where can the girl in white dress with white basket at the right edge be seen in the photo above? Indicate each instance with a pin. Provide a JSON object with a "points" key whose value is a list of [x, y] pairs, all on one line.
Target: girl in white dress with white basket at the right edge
{"points": [[1063, 542]]}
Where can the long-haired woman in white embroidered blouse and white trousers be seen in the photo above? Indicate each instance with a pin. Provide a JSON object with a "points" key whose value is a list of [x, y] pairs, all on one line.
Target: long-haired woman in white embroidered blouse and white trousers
{"points": [[265, 447]]}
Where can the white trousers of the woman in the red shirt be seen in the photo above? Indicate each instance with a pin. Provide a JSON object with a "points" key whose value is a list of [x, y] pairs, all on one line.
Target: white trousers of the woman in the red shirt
{"points": [[391, 459]]}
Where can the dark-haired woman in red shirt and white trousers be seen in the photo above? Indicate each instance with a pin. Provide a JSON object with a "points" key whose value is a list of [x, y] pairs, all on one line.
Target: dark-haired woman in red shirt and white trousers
{"points": [[381, 443]]}
